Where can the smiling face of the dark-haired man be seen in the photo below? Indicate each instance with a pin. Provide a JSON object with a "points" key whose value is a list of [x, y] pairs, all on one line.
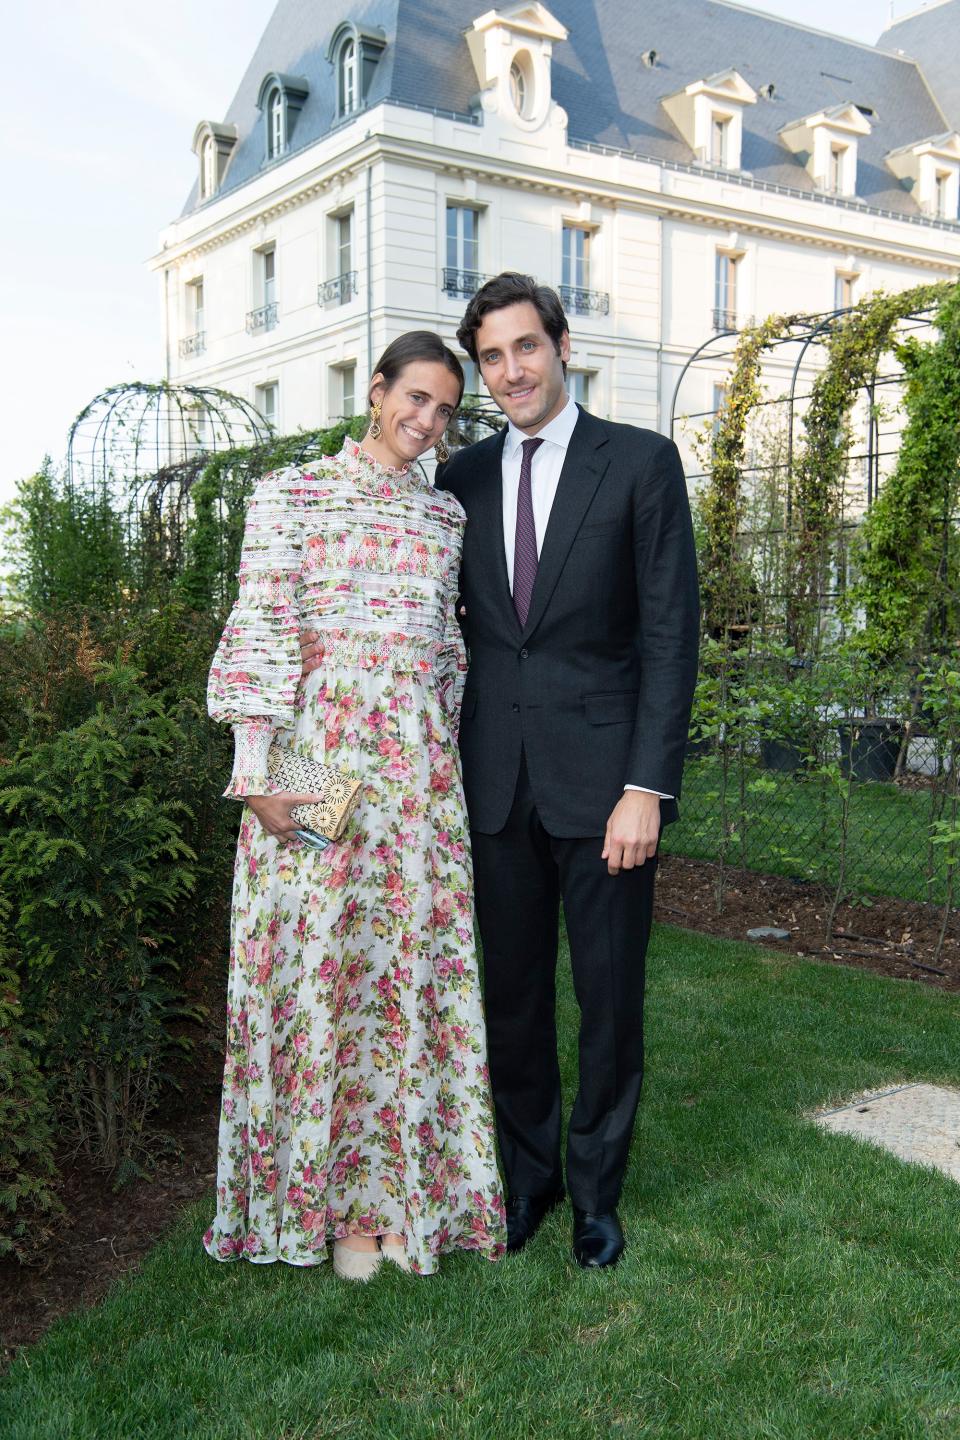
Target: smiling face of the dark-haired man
{"points": [[522, 366]]}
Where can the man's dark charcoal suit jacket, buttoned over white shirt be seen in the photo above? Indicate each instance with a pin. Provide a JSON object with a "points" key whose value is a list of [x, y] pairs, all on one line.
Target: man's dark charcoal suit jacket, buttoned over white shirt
{"points": [[598, 686]]}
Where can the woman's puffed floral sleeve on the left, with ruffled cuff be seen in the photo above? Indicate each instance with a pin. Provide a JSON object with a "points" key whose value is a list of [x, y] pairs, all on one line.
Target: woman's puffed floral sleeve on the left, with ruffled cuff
{"points": [[257, 669]]}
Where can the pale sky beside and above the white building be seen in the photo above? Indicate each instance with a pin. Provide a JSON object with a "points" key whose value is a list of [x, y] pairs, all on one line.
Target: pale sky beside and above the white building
{"points": [[97, 114]]}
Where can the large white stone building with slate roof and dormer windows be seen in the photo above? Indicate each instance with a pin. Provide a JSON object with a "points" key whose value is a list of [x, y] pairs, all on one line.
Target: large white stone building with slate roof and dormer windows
{"points": [[316, 237]]}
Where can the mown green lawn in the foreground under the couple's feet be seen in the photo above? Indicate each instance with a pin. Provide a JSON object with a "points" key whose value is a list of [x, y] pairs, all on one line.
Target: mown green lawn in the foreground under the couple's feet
{"points": [[779, 1284]]}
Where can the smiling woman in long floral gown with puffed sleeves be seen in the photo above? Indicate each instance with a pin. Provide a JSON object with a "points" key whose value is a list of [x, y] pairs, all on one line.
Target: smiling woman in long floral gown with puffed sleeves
{"points": [[356, 1099]]}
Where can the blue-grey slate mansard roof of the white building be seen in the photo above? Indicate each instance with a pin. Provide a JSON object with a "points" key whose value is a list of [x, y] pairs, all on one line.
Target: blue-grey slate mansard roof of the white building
{"points": [[611, 97]]}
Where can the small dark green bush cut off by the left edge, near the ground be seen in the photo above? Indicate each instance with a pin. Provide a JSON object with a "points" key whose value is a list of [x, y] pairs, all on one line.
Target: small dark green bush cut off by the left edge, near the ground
{"points": [[30, 1205]]}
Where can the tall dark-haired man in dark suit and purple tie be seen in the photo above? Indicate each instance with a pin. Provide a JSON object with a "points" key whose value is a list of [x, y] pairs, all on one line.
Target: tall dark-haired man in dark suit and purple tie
{"points": [[581, 611]]}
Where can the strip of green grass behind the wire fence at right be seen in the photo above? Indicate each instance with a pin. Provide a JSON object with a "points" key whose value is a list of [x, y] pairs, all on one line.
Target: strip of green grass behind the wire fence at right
{"points": [[794, 829]]}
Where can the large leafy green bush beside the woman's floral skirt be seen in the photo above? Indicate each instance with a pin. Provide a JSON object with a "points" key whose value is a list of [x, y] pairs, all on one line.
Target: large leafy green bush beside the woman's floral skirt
{"points": [[94, 862]]}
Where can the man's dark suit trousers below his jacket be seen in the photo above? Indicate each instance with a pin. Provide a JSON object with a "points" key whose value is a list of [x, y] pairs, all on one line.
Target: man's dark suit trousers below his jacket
{"points": [[522, 876]]}
